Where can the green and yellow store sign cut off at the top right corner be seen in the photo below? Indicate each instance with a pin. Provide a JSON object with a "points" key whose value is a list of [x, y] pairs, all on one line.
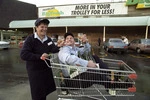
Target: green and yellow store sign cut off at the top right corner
{"points": [[139, 3]]}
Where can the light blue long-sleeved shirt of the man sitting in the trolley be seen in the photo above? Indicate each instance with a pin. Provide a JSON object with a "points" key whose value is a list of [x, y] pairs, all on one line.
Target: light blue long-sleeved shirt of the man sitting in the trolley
{"points": [[69, 55]]}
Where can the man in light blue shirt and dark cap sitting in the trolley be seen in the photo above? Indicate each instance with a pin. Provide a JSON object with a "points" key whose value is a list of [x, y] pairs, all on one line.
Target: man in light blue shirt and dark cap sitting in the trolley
{"points": [[68, 55]]}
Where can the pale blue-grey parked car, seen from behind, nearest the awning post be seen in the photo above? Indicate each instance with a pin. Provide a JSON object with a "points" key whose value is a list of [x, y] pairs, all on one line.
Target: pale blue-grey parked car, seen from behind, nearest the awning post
{"points": [[115, 44]]}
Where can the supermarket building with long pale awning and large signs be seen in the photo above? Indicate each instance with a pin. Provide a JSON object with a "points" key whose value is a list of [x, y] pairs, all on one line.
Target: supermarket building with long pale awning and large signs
{"points": [[104, 20]]}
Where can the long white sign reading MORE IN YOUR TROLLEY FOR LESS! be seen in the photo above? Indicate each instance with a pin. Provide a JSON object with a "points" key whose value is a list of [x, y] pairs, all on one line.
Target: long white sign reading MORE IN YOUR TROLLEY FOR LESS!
{"points": [[83, 10]]}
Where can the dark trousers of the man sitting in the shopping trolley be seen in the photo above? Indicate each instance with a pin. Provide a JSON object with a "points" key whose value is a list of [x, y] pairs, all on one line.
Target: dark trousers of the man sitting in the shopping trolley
{"points": [[90, 77]]}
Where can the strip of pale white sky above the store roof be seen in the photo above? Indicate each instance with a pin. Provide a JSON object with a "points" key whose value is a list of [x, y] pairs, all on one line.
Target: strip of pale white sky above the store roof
{"points": [[62, 2]]}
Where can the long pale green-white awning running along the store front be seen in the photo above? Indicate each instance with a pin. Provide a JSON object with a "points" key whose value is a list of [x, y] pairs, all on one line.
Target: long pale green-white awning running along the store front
{"points": [[76, 22]]}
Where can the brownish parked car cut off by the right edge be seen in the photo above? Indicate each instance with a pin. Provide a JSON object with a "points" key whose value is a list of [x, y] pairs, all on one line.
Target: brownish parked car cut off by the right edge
{"points": [[140, 45]]}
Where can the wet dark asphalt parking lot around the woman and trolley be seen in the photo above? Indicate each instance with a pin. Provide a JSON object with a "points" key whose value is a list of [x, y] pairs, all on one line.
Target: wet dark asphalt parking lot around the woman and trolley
{"points": [[14, 83]]}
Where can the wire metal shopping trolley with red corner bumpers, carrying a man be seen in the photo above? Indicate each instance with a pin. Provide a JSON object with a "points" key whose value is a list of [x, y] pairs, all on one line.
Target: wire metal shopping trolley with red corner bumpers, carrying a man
{"points": [[120, 86]]}
